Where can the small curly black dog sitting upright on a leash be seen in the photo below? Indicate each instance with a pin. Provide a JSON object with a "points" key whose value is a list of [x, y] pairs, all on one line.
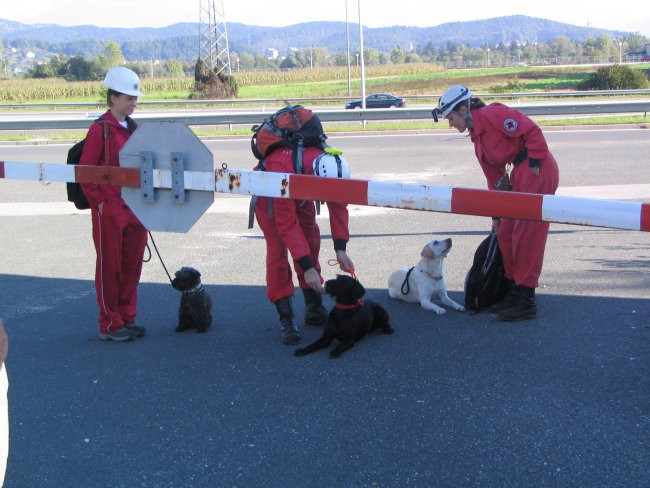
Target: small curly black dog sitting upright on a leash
{"points": [[195, 310]]}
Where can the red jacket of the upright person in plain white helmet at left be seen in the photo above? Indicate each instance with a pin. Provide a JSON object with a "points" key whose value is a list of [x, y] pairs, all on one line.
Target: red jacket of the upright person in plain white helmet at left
{"points": [[93, 155]]}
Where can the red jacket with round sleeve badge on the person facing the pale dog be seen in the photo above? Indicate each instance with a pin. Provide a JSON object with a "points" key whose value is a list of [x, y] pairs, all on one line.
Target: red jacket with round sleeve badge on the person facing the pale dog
{"points": [[499, 134]]}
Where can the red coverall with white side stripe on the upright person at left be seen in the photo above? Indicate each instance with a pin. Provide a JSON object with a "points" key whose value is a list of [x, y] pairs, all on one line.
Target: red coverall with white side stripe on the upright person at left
{"points": [[119, 237]]}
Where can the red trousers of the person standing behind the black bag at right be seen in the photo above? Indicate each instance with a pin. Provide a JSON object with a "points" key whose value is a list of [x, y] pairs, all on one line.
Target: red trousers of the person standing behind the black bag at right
{"points": [[522, 242]]}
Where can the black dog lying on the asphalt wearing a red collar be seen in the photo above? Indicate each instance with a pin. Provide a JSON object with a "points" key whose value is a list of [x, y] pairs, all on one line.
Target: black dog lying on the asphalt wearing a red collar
{"points": [[350, 319]]}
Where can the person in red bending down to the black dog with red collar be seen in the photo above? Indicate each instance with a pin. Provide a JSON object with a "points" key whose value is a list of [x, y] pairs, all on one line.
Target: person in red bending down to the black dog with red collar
{"points": [[289, 226]]}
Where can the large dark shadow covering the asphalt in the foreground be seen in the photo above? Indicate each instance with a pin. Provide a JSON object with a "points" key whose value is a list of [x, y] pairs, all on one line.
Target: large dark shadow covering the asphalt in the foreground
{"points": [[450, 400]]}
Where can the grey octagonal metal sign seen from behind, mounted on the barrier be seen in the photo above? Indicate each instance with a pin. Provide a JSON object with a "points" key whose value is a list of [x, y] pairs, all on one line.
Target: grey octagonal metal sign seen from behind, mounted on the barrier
{"points": [[168, 154]]}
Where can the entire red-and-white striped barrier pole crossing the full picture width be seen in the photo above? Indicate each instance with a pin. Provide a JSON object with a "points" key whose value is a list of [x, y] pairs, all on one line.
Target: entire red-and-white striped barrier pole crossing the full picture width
{"points": [[550, 208]]}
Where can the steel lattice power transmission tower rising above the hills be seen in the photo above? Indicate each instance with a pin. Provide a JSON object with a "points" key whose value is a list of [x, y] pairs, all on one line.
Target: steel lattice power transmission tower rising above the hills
{"points": [[213, 36]]}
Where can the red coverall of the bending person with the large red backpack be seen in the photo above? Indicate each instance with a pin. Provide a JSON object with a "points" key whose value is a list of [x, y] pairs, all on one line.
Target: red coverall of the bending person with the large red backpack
{"points": [[292, 226]]}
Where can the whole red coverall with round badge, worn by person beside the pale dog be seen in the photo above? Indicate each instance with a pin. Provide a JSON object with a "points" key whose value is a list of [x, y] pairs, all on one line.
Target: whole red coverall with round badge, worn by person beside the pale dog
{"points": [[499, 135]]}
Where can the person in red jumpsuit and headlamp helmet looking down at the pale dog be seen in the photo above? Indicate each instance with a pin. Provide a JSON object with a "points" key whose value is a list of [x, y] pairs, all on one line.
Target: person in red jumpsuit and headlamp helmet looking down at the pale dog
{"points": [[504, 138]]}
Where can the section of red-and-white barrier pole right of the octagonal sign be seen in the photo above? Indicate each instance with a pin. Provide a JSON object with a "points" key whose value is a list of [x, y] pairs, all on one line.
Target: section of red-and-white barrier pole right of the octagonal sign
{"points": [[549, 208]]}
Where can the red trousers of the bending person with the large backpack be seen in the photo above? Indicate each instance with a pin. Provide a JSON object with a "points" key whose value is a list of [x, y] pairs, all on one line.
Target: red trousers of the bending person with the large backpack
{"points": [[279, 279]]}
